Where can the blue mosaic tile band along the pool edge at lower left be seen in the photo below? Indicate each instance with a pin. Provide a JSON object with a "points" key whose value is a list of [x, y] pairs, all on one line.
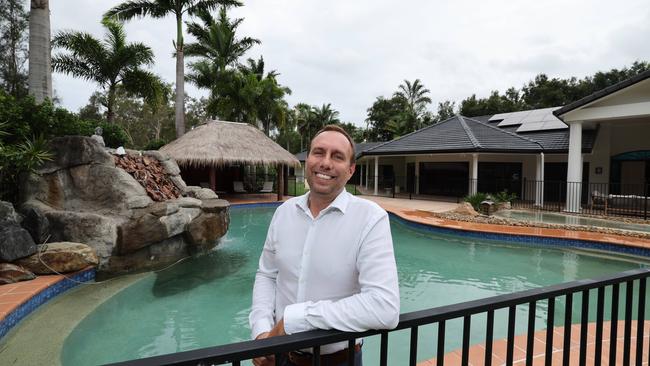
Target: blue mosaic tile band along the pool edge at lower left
{"points": [[41, 298]]}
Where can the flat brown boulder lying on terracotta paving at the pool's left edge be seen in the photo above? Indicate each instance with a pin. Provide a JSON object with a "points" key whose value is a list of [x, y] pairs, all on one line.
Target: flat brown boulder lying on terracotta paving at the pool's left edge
{"points": [[60, 257]]}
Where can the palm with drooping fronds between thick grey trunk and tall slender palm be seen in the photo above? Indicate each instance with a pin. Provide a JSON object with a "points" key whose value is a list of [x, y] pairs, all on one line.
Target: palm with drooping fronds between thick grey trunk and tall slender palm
{"points": [[110, 63]]}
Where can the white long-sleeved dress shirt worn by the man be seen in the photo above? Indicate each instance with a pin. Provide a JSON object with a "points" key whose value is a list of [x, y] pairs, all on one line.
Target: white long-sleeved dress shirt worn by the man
{"points": [[334, 271]]}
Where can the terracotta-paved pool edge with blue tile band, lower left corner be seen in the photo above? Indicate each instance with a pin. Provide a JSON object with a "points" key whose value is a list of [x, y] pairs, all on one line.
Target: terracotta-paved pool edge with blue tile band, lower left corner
{"points": [[29, 295]]}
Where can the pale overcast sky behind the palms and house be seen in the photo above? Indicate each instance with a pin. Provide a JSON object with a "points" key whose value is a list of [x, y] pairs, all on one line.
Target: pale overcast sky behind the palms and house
{"points": [[349, 52]]}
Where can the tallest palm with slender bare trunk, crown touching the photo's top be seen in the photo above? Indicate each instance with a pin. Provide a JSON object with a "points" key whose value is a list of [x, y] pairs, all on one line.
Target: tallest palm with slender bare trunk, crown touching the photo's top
{"points": [[159, 9]]}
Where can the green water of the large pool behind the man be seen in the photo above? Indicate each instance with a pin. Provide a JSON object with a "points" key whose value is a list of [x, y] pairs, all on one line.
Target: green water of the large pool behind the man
{"points": [[205, 302]]}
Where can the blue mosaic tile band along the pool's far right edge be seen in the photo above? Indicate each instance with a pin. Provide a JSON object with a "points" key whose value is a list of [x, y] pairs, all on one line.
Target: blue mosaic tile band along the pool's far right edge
{"points": [[530, 239]]}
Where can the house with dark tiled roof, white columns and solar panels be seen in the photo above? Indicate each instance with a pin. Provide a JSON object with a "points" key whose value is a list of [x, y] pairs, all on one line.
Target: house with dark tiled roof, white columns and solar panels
{"points": [[599, 144]]}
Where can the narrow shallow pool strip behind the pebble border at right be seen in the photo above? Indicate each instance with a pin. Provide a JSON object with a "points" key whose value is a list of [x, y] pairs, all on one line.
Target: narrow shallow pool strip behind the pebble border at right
{"points": [[558, 218]]}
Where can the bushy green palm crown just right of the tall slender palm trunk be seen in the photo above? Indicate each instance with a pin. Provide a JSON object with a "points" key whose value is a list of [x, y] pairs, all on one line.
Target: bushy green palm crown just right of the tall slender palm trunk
{"points": [[216, 39]]}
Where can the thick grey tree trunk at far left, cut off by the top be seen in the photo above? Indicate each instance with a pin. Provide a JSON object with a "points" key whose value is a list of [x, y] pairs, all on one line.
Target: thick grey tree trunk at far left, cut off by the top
{"points": [[40, 60]]}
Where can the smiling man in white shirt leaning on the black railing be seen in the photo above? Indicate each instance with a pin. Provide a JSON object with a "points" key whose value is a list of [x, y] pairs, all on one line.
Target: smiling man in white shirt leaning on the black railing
{"points": [[328, 260]]}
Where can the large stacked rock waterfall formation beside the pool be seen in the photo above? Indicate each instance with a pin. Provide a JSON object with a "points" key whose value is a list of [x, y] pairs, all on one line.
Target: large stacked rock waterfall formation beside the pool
{"points": [[82, 196]]}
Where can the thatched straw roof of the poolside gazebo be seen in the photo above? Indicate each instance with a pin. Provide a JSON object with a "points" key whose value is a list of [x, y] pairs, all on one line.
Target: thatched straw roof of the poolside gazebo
{"points": [[220, 143]]}
